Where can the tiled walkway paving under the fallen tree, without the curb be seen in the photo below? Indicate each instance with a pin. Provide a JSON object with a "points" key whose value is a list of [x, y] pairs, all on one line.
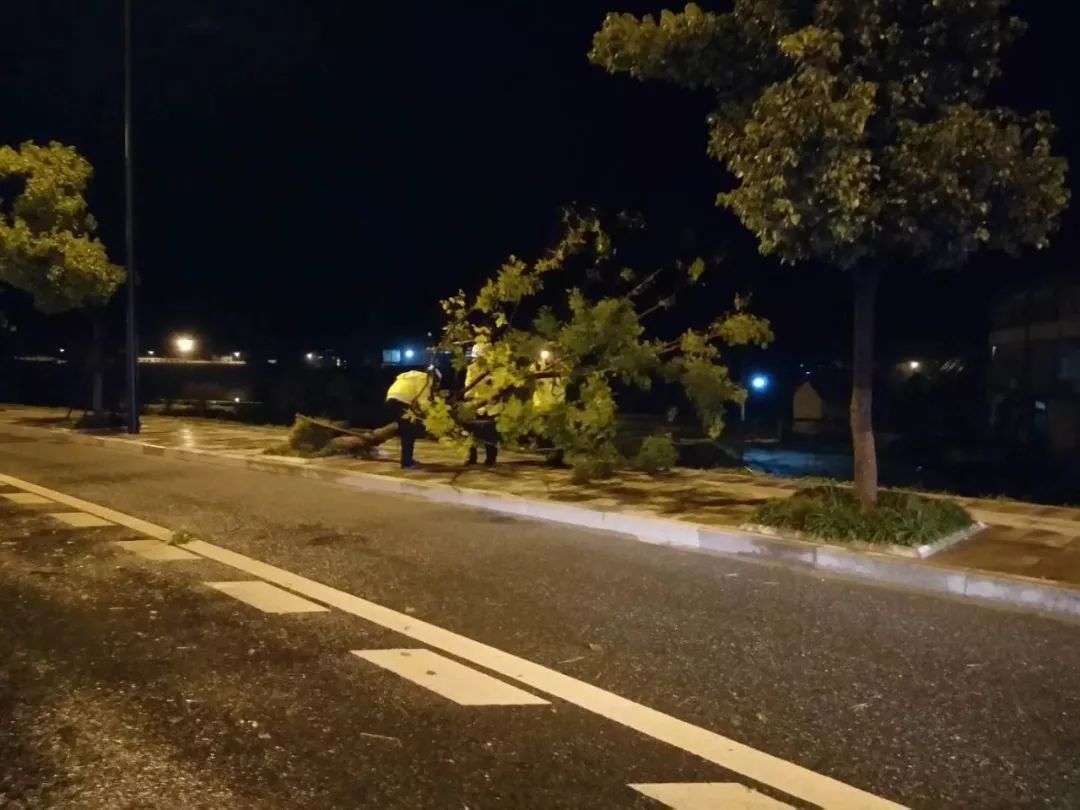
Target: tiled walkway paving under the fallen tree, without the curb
{"points": [[1025, 539]]}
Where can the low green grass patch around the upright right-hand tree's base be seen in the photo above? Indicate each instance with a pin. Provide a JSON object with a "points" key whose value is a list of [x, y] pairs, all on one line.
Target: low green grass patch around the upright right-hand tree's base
{"points": [[833, 514]]}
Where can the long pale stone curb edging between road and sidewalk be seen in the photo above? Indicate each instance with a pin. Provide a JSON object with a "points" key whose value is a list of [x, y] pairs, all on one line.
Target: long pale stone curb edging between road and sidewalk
{"points": [[730, 542]]}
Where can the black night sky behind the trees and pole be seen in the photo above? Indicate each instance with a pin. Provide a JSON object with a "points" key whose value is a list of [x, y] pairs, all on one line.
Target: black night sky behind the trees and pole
{"points": [[320, 174]]}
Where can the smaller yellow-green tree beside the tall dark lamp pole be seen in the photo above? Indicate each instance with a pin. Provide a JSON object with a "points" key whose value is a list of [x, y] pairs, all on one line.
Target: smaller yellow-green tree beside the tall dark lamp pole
{"points": [[48, 248]]}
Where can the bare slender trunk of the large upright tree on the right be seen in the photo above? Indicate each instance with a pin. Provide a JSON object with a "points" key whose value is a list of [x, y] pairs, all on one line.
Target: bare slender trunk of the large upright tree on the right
{"points": [[862, 390]]}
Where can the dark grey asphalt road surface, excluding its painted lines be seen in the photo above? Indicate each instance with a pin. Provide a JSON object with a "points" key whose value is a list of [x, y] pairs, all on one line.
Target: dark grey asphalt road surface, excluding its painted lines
{"points": [[127, 683]]}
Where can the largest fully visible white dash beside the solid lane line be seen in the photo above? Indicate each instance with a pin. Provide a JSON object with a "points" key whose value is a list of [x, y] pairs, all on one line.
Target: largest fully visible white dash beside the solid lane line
{"points": [[451, 680]]}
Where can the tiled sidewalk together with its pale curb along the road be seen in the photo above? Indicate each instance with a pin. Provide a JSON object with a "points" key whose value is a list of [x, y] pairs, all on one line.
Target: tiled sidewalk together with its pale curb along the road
{"points": [[1041, 545]]}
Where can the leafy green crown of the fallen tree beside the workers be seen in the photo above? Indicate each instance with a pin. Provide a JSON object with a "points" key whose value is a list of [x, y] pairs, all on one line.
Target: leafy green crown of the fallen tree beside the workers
{"points": [[563, 334]]}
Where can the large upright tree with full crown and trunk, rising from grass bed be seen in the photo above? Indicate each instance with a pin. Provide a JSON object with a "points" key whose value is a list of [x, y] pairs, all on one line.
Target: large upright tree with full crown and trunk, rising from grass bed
{"points": [[859, 136]]}
